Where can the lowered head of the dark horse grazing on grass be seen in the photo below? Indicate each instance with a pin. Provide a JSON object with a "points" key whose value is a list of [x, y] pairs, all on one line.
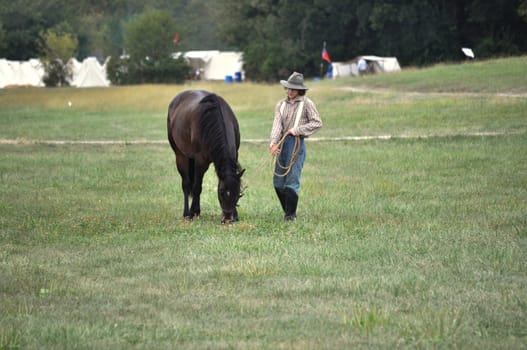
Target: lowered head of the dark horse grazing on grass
{"points": [[229, 192]]}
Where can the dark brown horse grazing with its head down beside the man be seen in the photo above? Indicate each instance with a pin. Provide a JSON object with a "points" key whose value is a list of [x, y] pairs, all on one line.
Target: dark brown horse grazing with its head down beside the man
{"points": [[203, 129]]}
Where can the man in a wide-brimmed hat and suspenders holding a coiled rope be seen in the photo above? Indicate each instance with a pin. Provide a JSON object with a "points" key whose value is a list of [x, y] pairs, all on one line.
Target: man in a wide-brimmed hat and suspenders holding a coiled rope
{"points": [[295, 118]]}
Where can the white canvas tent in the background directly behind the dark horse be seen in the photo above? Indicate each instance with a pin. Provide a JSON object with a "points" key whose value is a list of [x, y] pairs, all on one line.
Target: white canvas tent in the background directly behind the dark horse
{"points": [[214, 64]]}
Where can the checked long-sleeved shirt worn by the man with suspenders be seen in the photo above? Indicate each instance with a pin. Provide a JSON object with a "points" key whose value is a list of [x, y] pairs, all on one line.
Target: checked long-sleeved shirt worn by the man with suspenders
{"points": [[310, 121]]}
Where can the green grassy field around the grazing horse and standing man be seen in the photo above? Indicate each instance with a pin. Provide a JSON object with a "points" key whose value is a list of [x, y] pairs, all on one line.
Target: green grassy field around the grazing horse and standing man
{"points": [[417, 241]]}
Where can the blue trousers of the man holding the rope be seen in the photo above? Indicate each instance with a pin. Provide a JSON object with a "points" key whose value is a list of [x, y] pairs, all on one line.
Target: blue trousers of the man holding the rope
{"points": [[291, 180]]}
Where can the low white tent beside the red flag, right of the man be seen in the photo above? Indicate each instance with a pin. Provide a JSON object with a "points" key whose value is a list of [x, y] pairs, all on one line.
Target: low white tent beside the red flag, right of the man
{"points": [[376, 64]]}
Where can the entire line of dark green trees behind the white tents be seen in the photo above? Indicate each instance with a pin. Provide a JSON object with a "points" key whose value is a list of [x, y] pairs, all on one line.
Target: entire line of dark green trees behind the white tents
{"points": [[276, 36]]}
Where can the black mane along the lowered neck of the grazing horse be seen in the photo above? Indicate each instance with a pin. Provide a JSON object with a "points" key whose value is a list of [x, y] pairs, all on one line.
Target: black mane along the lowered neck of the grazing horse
{"points": [[214, 134]]}
